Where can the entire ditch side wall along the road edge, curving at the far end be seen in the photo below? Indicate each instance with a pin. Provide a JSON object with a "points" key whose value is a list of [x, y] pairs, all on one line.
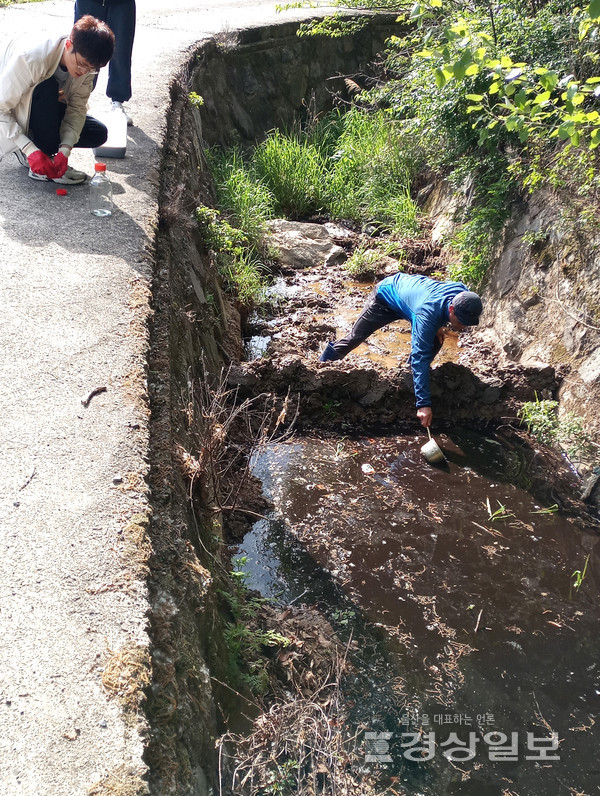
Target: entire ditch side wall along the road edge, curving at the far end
{"points": [[249, 84]]}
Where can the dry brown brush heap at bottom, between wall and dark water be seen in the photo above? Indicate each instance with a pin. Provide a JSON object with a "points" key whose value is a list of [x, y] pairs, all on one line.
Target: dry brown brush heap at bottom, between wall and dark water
{"points": [[302, 741]]}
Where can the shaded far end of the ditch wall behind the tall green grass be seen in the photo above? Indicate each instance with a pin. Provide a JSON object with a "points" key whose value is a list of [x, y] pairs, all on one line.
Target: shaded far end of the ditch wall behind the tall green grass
{"points": [[270, 77]]}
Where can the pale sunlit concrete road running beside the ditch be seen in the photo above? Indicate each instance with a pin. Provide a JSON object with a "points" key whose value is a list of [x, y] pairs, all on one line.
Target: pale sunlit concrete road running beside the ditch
{"points": [[73, 308]]}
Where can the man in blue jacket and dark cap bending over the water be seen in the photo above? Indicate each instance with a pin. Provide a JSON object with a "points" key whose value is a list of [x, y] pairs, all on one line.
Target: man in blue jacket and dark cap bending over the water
{"points": [[428, 305]]}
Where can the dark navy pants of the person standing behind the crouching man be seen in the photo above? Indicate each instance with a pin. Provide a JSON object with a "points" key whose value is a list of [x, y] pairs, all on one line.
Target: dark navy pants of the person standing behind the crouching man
{"points": [[119, 15]]}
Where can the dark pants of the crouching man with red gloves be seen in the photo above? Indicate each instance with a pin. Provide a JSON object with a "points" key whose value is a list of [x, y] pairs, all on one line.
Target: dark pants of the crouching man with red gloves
{"points": [[46, 116]]}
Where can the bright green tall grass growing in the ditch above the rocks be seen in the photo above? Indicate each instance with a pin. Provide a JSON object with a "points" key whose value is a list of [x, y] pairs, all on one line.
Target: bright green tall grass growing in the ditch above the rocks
{"points": [[355, 166]]}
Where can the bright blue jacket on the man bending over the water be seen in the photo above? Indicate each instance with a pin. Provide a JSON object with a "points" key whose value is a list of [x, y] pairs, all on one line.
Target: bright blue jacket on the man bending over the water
{"points": [[425, 303]]}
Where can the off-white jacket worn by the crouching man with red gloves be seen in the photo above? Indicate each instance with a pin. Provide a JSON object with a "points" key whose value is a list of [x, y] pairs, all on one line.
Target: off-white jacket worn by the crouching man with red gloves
{"points": [[24, 66]]}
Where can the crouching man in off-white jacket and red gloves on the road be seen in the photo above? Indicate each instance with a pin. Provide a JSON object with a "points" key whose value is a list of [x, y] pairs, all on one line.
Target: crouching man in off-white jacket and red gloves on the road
{"points": [[44, 91]]}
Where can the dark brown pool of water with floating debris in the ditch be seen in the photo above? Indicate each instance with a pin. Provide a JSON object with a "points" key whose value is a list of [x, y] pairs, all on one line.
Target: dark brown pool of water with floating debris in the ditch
{"points": [[478, 667]]}
